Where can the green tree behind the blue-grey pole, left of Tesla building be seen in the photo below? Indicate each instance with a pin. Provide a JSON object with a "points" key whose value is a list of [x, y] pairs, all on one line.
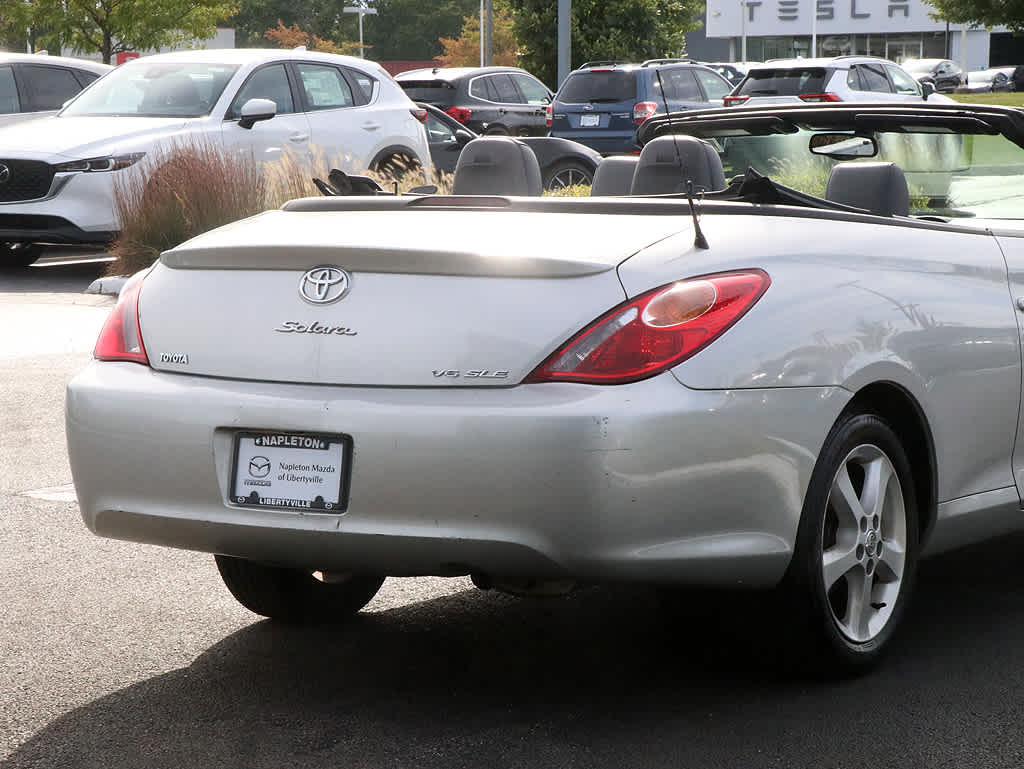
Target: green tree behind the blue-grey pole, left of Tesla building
{"points": [[628, 30]]}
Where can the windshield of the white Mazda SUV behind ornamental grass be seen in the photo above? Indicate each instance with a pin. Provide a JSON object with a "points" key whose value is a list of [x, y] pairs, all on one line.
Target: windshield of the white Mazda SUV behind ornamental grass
{"points": [[156, 91]]}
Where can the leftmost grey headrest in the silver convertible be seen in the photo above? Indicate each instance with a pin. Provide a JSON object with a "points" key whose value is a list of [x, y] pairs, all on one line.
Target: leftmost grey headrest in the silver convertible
{"points": [[497, 165]]}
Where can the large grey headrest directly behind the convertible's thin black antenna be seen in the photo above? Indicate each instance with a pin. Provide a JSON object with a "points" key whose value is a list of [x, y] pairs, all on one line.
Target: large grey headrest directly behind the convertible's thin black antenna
{"points": [[668, 164]]}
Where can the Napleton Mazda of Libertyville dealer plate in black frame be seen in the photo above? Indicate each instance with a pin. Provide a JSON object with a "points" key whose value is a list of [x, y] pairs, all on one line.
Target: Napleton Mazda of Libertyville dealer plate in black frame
{"points": [[297, 472]]}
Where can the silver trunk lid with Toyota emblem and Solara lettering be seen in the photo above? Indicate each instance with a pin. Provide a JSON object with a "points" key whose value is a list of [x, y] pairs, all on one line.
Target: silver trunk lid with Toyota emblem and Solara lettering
{"points": [[436, 298]]}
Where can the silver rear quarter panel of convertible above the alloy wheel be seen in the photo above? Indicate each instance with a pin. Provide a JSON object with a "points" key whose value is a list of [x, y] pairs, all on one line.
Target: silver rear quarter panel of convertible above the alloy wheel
{"points": [[855, 303]]}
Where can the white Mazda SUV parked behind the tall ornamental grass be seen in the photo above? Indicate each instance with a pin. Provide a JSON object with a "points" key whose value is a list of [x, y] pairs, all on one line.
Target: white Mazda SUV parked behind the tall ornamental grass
{"points": [[58, 176]]}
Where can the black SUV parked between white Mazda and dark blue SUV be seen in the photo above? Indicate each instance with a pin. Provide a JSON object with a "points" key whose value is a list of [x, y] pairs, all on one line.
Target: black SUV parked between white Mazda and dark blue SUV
{"points": [[493, 101]]}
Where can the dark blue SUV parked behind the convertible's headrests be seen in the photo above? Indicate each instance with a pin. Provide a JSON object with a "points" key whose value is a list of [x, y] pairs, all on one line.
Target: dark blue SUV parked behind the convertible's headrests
{"points": [[603, 104]]}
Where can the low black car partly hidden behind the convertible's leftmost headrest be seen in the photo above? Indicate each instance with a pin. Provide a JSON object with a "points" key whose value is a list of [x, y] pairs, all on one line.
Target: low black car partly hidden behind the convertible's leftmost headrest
{"points": [[564, 163]]}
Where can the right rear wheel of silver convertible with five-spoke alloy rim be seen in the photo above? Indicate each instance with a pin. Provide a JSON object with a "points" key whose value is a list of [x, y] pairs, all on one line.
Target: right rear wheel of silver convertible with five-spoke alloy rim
{"points": [[848, 623]]}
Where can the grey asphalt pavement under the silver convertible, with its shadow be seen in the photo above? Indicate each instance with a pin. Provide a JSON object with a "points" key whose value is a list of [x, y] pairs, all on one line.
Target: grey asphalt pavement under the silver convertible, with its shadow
{"points": [[122, 656]]}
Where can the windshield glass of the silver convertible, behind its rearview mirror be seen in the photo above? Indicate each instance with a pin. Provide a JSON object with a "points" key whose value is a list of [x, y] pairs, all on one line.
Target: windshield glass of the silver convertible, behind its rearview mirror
{"points": [[951, 176]]}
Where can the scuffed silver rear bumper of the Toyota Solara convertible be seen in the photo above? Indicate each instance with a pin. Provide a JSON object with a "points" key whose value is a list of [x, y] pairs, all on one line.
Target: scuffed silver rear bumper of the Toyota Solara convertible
{"points": [[650, 482]]}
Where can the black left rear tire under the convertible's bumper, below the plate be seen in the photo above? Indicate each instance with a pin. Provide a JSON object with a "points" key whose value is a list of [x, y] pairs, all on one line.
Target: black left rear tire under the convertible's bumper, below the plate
{"points": [[293, 595]]}
